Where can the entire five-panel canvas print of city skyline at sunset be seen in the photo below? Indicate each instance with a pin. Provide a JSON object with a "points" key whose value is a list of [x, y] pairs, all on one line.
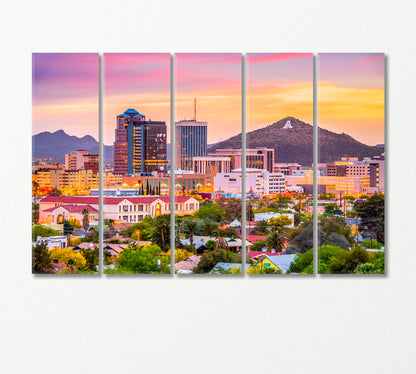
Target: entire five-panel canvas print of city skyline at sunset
{"points": [[241, 128]]}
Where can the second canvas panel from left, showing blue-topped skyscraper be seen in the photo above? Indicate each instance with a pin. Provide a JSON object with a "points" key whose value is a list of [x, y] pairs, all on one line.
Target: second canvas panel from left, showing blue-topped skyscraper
{"points": [[136, 177]]}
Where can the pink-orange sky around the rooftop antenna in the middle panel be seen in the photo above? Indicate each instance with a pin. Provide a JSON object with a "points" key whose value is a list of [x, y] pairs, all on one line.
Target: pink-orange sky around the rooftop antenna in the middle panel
{"points": [[214, 79]]}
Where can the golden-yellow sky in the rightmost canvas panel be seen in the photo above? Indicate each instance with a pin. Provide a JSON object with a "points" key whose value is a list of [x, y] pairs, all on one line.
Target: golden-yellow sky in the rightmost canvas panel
{"points": [[351, 95]]}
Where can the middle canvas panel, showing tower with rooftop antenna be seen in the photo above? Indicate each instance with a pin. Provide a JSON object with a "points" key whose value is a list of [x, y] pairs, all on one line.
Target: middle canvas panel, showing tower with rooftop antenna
{"points": [[208, 154]]}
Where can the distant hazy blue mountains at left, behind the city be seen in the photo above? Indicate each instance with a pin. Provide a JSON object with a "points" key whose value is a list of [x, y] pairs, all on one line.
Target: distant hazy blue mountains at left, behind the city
{"points": [[56, 144]]}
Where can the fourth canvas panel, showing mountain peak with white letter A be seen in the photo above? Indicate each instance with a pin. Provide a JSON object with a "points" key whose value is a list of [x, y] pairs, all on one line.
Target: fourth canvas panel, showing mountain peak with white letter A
{"points": [[279, 156]]}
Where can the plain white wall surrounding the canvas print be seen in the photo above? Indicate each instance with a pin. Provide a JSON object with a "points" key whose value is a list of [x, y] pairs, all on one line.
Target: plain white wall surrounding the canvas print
{"points": [[205, 325]]}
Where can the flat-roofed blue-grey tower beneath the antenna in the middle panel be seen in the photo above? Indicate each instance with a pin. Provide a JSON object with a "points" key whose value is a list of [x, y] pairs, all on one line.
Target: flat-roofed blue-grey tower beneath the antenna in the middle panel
{"points": [[191, 141]]}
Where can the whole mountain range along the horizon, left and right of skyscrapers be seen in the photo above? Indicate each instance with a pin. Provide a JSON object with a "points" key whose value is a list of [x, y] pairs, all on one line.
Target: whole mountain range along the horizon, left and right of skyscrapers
{"points": [[292, 143]]}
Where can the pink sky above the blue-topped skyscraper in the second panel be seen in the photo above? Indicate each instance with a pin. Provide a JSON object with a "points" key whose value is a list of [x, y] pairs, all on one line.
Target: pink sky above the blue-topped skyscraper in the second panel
{"points": [[136, 80]]}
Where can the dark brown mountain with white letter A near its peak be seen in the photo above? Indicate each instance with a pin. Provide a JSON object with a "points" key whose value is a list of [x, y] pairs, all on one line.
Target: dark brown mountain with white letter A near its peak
{"points": [[294, 143]]}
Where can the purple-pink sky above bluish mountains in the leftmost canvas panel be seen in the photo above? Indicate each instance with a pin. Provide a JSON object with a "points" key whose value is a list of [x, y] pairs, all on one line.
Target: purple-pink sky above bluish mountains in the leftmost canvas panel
{"points": [[65, 93]]}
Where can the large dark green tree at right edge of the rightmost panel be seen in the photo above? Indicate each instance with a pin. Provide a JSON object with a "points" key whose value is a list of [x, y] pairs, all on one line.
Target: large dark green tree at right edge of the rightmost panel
{"points": [[371, 212]]}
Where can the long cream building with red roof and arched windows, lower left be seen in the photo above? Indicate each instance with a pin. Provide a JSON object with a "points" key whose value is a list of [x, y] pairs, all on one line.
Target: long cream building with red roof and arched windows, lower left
{"points": [[121, 209]]}
